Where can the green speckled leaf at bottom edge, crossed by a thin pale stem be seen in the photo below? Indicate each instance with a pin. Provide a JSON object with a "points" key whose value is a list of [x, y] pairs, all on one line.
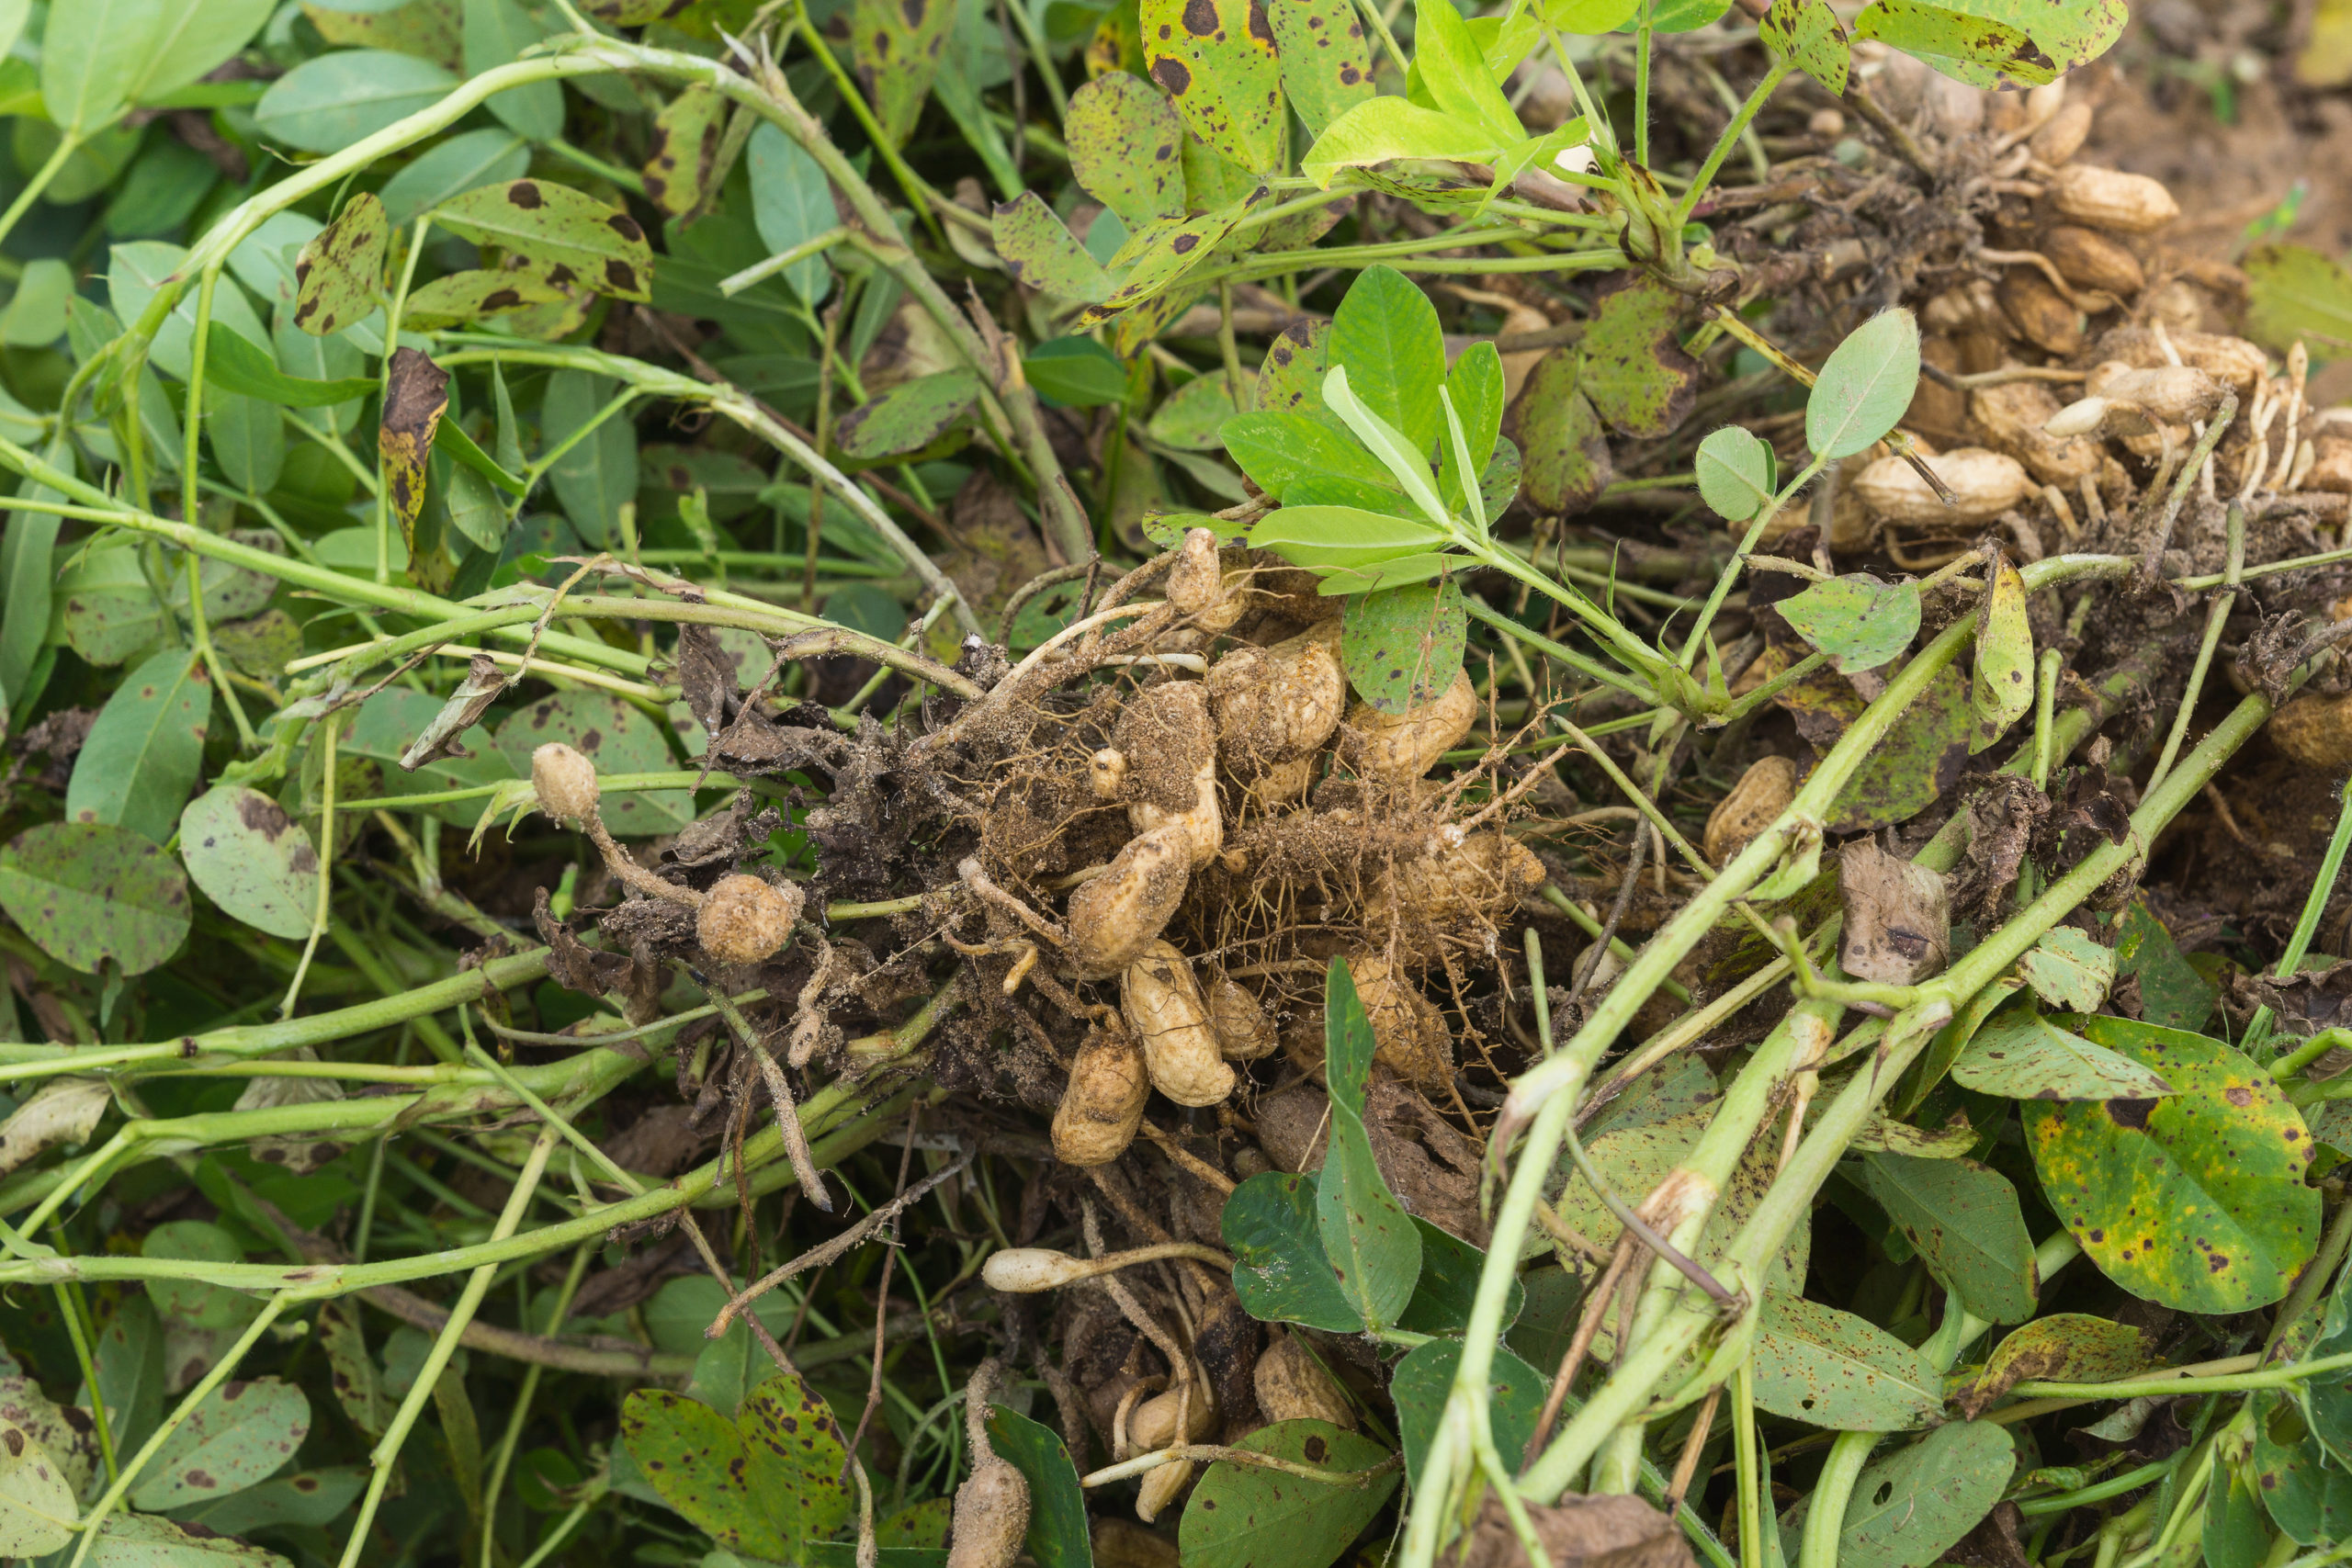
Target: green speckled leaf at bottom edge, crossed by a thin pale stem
{"points": [[1241, 1513]]}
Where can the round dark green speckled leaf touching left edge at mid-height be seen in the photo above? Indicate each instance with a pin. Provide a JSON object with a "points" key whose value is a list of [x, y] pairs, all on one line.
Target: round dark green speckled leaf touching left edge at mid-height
{"points": [[95, 894]]}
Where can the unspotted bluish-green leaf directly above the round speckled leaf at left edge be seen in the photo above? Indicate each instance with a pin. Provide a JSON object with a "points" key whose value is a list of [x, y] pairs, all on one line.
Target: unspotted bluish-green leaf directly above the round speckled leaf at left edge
{"points": [[147, 749]]}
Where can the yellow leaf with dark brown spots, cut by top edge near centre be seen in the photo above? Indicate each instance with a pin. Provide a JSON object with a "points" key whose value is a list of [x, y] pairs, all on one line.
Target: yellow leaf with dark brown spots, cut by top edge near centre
{"points": [[1217, 60]]}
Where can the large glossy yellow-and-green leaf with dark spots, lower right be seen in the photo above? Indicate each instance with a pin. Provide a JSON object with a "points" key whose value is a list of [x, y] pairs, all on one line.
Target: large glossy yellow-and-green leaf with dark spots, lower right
{"points": [[2198, 1200]]}
